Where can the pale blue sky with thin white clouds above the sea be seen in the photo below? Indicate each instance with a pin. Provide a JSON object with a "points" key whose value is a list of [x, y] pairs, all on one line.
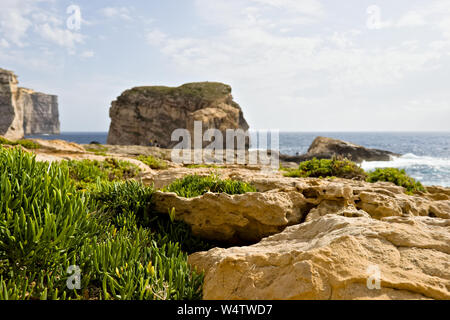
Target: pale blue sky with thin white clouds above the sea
{"points": [[294, 65]]}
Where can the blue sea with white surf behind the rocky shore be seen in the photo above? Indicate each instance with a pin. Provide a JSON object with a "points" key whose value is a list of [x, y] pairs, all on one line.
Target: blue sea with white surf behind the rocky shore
{"points": [[425, 155]]}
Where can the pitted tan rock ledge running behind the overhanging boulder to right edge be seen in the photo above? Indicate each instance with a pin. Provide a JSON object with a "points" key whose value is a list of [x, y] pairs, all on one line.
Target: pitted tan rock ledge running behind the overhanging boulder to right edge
{"points": [[328, 196]]}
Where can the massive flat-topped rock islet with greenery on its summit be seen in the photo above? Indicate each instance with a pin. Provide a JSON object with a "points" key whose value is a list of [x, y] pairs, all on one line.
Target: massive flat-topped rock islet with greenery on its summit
{"points": [[146, 115]]}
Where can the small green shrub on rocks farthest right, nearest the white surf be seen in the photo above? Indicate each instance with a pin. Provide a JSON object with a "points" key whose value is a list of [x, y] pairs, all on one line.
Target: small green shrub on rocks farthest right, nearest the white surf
{"points": [[398, 177]]}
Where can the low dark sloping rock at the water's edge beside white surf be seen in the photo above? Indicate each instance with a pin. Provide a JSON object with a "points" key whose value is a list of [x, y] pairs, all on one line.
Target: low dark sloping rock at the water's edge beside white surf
{"points": [[326, 148]]}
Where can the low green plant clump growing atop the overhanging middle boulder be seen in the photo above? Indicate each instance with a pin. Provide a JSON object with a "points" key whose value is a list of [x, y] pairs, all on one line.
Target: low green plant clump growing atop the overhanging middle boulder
{"points": [[194, 186]]}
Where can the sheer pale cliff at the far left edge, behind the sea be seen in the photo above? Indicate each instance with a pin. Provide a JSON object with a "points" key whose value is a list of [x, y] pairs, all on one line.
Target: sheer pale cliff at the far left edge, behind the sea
{"points": [[24, 111]]}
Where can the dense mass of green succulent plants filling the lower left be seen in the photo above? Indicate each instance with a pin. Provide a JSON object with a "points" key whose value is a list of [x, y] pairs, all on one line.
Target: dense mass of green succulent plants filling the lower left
{"points": [[121, 248]]}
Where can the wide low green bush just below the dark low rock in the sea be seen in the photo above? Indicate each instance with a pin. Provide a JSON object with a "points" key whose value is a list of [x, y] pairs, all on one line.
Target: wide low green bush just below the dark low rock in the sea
{"points": [[315, 168]]}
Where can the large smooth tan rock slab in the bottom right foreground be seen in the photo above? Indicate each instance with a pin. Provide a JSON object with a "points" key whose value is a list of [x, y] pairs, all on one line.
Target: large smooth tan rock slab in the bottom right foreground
{"points": [[334, 257]]}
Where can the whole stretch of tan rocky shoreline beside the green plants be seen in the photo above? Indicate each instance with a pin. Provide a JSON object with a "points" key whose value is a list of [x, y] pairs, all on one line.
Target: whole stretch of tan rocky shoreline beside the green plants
{"points": [[302, 238]]}
